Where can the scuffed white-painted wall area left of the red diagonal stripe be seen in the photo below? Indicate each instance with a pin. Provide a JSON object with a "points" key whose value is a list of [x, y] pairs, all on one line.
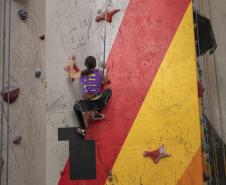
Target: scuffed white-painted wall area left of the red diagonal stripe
{"points": [[71, 29]]}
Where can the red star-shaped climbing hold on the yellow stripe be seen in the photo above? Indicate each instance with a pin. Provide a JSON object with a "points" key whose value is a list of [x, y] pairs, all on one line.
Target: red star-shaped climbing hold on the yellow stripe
{"points": [[157, 154]]}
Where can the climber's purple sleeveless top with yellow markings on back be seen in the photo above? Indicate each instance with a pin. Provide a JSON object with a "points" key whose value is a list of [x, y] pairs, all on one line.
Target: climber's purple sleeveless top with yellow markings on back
{"points": [[91, 84]]}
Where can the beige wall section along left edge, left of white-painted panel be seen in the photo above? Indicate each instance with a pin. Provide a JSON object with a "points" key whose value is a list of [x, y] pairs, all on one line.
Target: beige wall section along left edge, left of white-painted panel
{"points": [[27, 115]]}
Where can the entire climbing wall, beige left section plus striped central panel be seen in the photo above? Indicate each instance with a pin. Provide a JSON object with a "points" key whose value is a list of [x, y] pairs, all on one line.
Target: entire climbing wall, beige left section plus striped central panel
{"points": [[151, 132]]}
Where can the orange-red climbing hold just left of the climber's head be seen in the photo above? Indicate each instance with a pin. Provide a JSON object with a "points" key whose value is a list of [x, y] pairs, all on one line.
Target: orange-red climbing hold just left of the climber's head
{"points": [[72, 69]]}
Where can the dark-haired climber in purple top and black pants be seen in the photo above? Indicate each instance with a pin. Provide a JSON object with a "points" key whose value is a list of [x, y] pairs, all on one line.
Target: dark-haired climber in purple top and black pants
{"points": [[94, 99]]}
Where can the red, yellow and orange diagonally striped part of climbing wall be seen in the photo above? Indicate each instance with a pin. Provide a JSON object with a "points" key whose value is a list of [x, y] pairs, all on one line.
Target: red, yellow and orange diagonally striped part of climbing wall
{"points": [[153, 72]]}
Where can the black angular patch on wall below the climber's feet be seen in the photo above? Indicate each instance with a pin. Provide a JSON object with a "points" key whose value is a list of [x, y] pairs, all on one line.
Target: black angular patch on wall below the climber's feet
{"points": [[82, 154]]}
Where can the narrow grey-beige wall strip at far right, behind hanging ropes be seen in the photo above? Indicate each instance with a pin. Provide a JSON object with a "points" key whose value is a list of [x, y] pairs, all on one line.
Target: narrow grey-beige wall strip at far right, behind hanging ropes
{"points": [[216, 11]]}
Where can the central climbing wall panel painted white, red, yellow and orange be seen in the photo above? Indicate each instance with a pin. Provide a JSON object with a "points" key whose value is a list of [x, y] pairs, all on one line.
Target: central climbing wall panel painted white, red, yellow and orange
{"points": [[154, 111]]}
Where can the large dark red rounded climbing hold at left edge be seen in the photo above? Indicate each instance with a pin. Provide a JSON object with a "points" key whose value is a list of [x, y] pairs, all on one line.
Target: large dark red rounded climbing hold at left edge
{"points": [[10, 94]]}
